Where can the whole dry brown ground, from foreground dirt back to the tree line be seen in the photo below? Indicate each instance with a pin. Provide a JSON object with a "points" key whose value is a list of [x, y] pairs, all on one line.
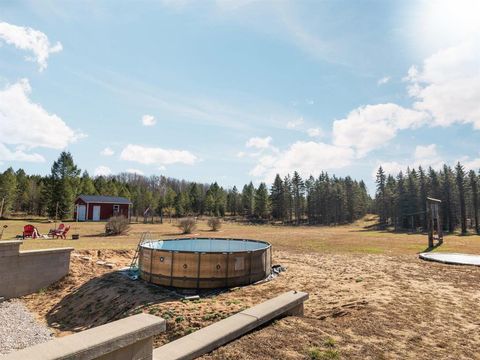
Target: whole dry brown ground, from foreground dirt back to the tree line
{"points": [[370, 295]]}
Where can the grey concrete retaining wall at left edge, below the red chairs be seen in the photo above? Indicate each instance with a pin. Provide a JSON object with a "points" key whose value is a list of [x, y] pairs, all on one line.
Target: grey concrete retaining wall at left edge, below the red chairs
{"points": [[24, 272]]}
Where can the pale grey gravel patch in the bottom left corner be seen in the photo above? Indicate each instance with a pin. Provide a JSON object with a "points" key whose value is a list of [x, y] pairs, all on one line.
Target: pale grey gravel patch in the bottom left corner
{"points": [[18, 327]]}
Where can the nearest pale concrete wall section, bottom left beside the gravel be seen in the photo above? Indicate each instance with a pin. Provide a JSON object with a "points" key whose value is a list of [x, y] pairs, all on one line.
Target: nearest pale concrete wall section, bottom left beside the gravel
{"points": [[126, 339]]}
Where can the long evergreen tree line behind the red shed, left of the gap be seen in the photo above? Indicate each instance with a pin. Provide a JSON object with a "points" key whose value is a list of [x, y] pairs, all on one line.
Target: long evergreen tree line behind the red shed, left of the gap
{"points": [[291, 199]]}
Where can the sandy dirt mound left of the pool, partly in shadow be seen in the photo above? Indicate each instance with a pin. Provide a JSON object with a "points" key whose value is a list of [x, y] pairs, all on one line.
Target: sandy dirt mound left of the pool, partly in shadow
{"points": [[94, 293]]}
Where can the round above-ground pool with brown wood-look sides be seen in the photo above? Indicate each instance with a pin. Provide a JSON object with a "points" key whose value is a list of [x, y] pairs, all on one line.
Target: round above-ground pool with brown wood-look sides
{"points": [[204, 263]]}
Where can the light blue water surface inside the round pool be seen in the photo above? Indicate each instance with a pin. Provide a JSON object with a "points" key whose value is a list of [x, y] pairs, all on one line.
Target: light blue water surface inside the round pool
{"points": [[206, 245]]}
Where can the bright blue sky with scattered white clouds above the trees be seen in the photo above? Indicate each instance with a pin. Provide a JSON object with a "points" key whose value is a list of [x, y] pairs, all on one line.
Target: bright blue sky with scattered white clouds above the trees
{"points": [[238, 90]]}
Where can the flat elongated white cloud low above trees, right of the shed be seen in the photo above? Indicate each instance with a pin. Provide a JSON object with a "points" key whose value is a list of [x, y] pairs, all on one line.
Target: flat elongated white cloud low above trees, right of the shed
{"points": [[155, 155]]}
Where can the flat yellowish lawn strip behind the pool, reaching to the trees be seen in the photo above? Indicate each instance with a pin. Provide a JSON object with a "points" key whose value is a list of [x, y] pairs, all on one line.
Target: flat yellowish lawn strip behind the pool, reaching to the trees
{"points": [[354, 238]]}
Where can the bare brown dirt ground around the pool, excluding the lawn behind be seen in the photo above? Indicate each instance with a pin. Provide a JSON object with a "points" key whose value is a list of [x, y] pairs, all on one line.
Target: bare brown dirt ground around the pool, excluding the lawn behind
{"points": [[361, 306]]}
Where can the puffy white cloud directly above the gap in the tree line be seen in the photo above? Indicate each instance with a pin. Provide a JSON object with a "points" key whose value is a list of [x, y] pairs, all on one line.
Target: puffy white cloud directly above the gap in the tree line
{"points": [[370, 127]]}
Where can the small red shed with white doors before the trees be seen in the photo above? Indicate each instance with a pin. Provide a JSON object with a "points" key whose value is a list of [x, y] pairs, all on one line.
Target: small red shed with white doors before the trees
{"points": [[98, 208]]}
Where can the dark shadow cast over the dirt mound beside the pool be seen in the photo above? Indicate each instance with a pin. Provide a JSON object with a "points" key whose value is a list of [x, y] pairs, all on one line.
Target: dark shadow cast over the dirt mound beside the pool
{"points": [[103, 299]]}
